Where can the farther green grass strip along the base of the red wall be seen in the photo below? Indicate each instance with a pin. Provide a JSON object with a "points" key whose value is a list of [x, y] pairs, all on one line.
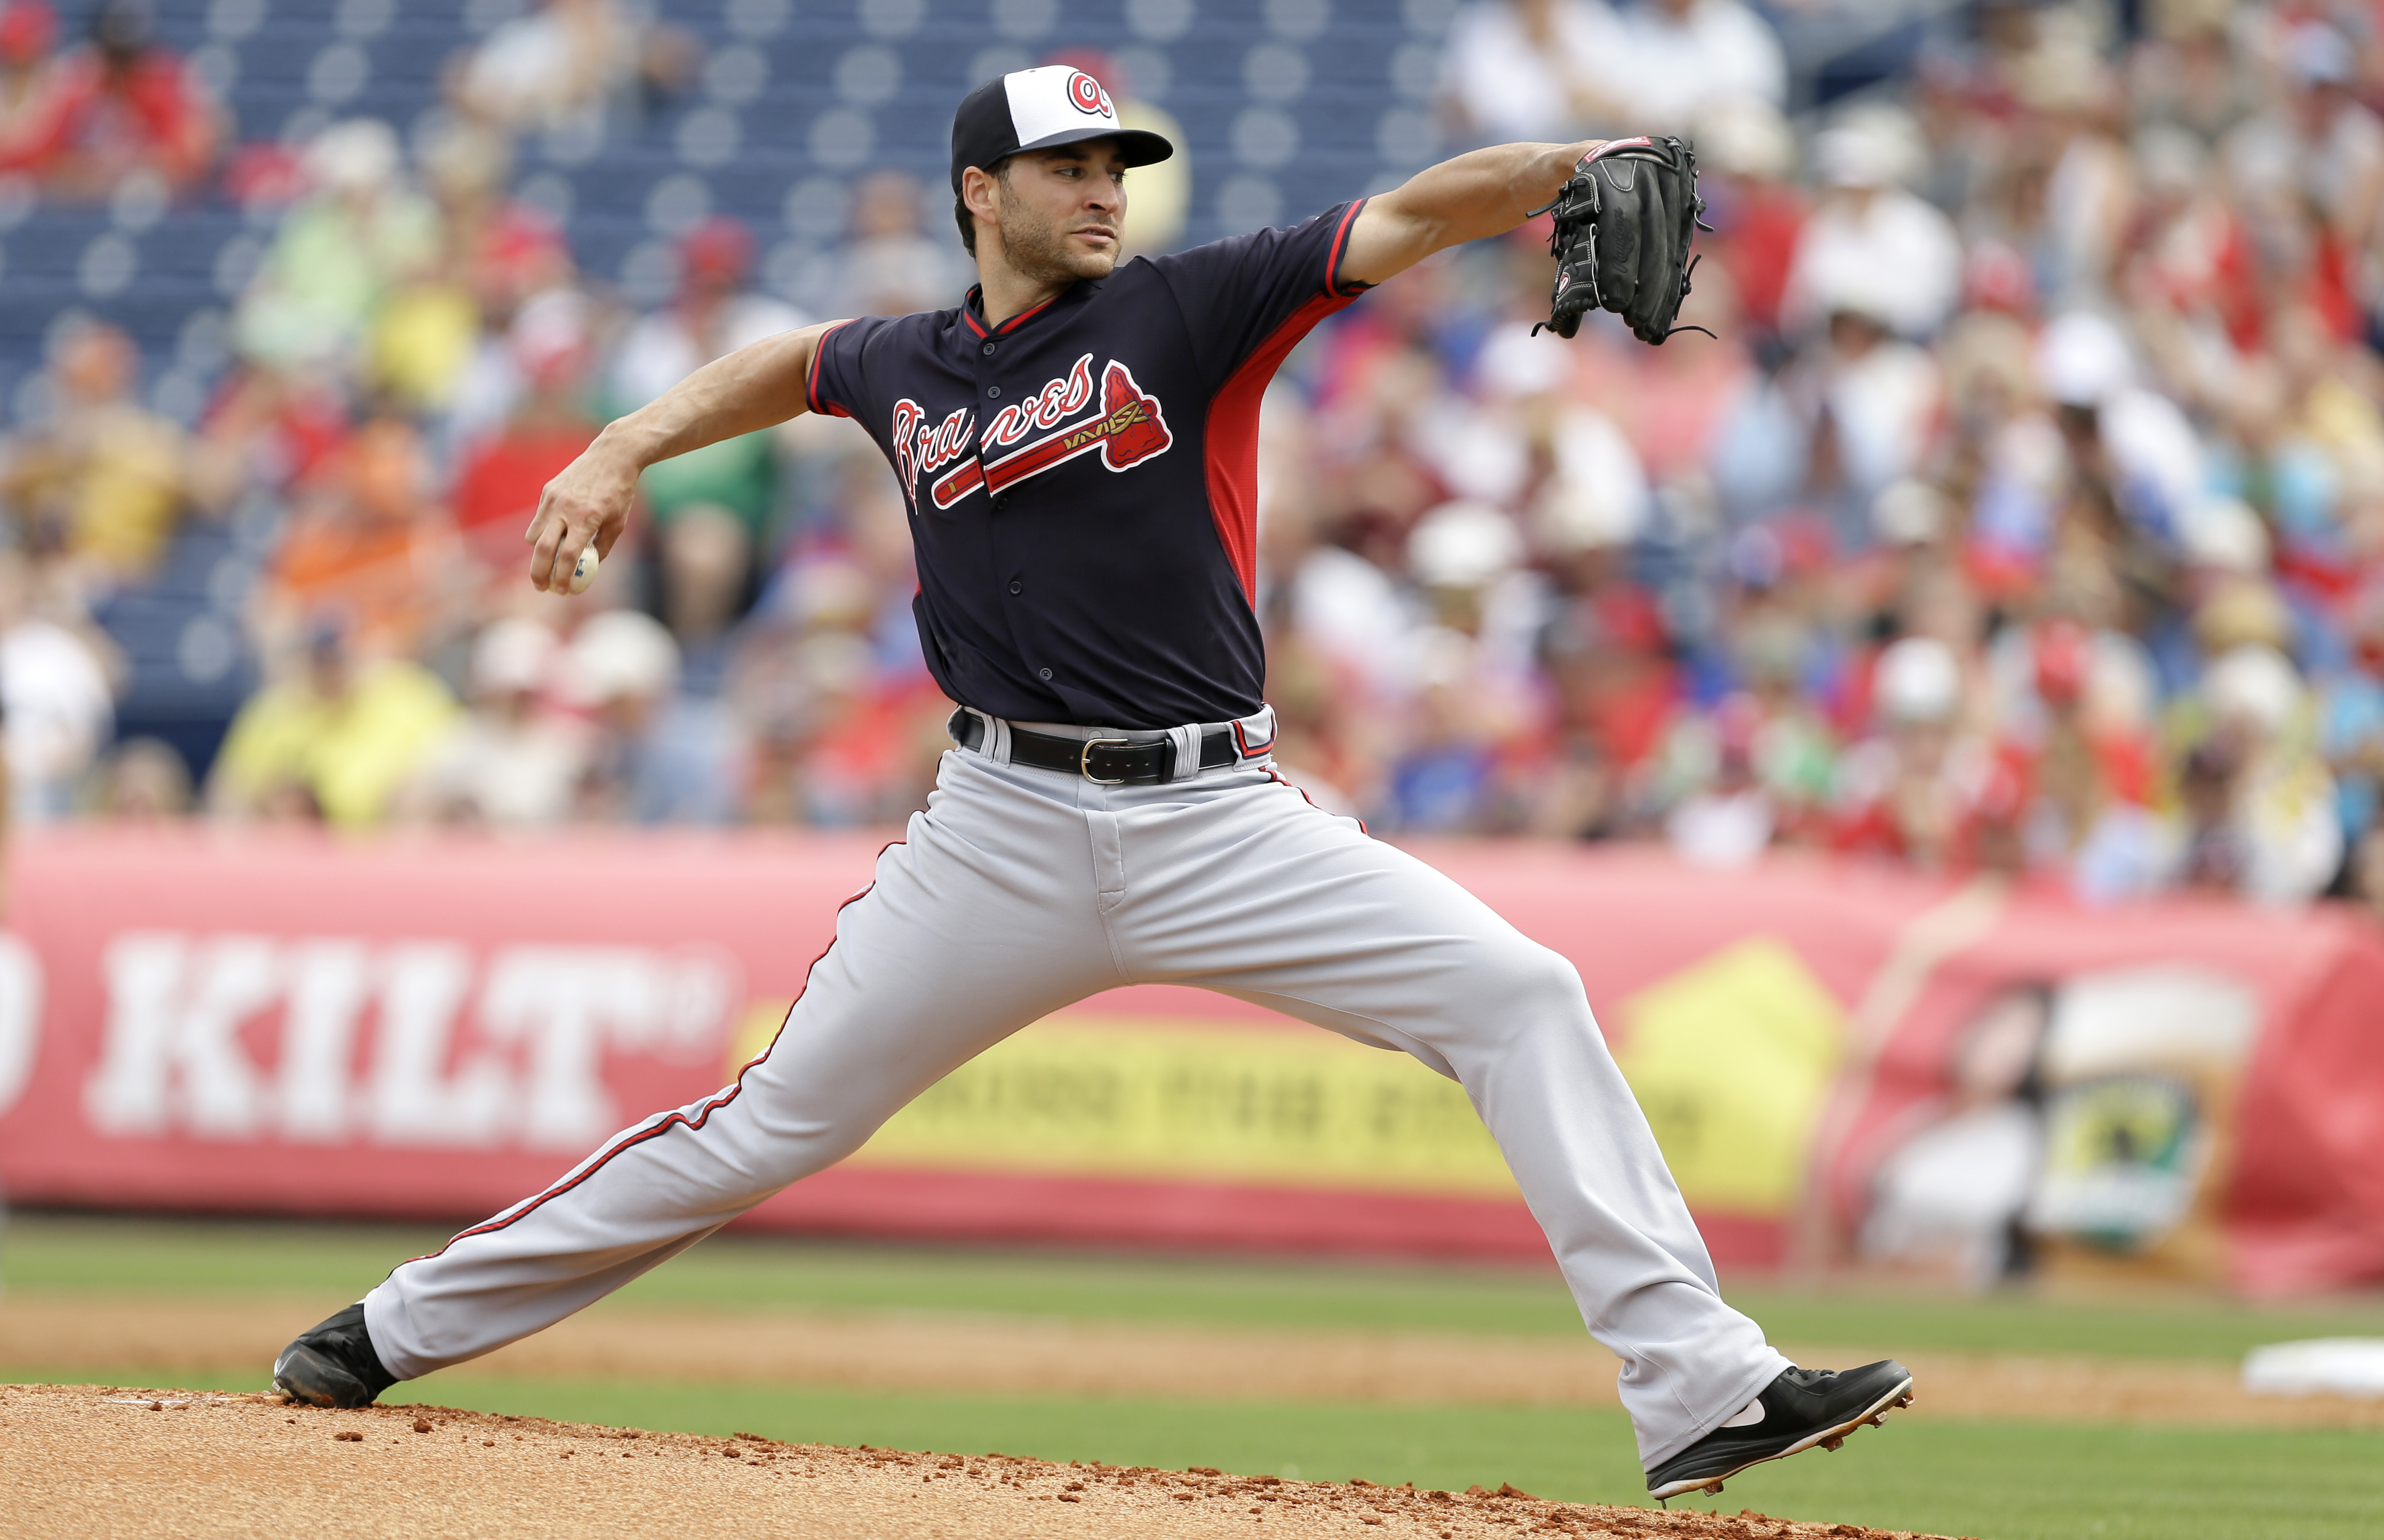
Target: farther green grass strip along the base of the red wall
{"points": [[735, 1272]]}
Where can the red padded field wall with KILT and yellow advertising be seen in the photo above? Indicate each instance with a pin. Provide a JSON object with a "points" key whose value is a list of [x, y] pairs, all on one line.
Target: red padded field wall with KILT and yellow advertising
{"points": [[1949, 1081]]}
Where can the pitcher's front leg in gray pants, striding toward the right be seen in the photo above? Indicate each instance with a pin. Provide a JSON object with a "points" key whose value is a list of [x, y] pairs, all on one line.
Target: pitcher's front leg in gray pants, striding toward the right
{"points": [[1277, 902]]}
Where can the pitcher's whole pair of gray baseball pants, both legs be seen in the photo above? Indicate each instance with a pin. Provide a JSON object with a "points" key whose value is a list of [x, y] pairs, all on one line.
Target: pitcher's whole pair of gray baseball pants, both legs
{"points": [[1019, 893]]}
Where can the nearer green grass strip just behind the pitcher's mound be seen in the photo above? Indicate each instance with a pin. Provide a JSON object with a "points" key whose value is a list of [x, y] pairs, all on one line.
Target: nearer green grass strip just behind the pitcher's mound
{"points": [[1999, 1482]]}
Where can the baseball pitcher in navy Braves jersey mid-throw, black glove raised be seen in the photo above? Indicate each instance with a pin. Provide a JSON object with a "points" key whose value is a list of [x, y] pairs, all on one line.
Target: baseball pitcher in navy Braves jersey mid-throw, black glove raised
{"points": [[1079, 452]]}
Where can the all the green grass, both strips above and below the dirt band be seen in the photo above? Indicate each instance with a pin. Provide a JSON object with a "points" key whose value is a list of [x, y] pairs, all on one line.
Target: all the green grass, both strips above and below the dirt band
{"points": [[2001, 1482]]}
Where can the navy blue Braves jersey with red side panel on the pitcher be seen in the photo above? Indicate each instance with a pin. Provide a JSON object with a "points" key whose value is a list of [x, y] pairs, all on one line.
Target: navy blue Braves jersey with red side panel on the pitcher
{"points": [[1084, 478]]}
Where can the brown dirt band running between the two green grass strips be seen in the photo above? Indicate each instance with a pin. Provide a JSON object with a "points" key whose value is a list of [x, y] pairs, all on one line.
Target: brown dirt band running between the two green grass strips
{"points": [[1105, 1358]]}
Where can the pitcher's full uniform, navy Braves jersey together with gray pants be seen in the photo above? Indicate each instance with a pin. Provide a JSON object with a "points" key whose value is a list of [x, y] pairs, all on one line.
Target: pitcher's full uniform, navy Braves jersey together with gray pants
{"points": [[1084, 507]]}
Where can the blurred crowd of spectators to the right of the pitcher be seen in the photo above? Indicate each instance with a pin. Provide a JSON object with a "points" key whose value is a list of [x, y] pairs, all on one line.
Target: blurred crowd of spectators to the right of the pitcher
{"points": [[2023, 516]]}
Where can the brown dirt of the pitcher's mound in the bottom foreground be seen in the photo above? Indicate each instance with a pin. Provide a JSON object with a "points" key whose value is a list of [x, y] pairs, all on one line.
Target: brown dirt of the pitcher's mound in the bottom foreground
{"points": [[89, 1460]]}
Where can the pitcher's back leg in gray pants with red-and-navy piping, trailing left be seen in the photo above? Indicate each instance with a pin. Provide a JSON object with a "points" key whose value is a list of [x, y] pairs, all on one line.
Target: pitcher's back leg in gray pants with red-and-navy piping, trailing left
{"points": [[924, 974]]}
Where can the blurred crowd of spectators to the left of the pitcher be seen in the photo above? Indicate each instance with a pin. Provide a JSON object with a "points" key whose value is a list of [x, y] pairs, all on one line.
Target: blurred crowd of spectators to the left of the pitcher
{"points": [[411, 364]]}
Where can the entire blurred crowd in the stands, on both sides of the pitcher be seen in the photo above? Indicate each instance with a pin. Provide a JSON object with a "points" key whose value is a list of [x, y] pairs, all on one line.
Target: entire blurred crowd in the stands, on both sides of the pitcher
{"points": [[2023, 514]]}
